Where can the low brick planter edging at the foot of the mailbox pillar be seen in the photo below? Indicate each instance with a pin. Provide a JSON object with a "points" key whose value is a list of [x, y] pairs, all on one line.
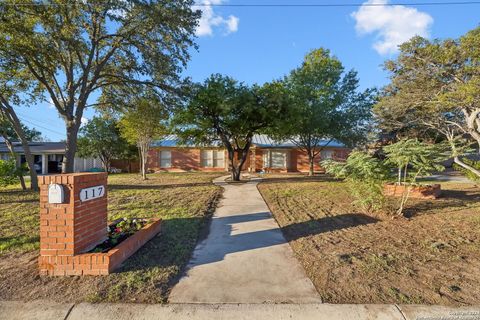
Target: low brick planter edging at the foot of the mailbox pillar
{"points": [[99, 263]]}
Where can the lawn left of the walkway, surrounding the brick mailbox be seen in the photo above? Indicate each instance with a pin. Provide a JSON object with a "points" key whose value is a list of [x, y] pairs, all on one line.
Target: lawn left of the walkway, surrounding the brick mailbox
{"points": [[184, 202]]}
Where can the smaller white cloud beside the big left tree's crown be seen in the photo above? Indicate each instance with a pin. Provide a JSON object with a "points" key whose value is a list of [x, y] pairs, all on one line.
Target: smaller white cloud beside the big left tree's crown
{"points": [[211, 20]]}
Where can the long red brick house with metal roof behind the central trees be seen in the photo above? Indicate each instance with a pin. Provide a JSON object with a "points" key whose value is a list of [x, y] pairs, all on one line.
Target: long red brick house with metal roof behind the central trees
{"points": [[265, 155]]}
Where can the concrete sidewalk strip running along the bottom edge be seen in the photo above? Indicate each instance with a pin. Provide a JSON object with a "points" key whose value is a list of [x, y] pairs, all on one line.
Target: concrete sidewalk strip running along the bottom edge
{"points": [[41, 310]]}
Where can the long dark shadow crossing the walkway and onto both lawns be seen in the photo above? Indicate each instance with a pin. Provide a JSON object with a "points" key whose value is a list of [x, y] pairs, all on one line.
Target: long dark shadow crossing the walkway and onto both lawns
{"points": [[174, 246]]}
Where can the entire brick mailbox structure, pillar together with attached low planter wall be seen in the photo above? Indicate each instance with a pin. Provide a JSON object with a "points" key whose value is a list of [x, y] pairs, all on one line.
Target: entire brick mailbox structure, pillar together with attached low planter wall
{"points": [[70, 229]]}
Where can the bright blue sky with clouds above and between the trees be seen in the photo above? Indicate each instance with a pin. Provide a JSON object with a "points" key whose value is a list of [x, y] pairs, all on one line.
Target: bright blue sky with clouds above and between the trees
{"points": [[260, 44]]}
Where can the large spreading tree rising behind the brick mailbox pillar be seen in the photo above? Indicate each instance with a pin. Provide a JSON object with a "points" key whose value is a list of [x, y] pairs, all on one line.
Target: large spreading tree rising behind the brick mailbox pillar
{"points": [[74, 48]]}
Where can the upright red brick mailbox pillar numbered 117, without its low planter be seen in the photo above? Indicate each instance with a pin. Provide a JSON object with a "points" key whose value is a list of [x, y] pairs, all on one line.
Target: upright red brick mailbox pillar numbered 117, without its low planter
{"points": [[72, 227]]}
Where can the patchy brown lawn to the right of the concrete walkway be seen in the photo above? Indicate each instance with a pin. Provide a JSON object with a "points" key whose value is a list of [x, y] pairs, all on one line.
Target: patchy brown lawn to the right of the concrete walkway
{"points": [[432, 257]]}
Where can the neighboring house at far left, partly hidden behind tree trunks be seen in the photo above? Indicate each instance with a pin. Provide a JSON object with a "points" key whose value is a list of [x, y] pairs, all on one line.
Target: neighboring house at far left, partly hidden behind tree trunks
{"points": [[48, 157]]}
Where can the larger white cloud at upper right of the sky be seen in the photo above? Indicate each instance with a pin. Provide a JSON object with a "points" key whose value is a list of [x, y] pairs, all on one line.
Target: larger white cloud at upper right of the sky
{"points": [[393, 25]]}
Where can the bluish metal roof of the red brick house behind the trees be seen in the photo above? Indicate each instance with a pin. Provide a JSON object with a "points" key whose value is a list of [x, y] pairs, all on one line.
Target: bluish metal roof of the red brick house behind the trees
{"points": [[259, 140]]}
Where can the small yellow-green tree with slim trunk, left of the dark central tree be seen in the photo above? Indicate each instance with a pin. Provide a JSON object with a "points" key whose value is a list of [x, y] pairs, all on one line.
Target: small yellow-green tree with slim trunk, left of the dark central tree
{"points": [[141, 123]]}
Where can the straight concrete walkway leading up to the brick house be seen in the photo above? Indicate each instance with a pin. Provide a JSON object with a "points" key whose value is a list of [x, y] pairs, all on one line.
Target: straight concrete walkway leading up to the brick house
{"points": [[245, 258]]}
